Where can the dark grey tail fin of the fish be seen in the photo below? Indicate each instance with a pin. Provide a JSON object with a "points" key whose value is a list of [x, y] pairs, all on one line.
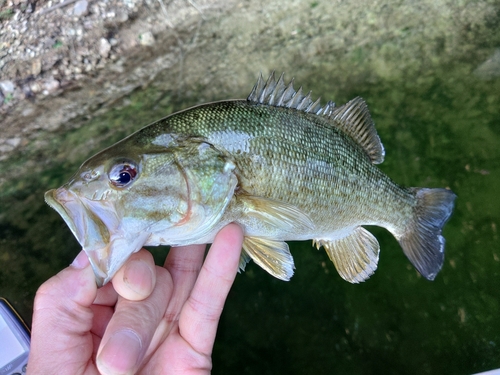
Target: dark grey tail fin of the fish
{"points": [[422, 241]]}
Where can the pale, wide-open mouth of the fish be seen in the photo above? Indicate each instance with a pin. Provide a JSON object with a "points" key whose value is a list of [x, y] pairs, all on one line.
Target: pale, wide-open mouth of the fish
{"points": [[88, 228]]}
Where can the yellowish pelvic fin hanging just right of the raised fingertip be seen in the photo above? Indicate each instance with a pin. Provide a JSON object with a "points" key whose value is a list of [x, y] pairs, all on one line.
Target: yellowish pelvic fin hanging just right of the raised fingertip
{"points": [[273, 256]]}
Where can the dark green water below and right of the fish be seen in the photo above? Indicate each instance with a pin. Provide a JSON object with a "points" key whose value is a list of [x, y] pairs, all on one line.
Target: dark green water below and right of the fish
{"points": [[445, 132]]}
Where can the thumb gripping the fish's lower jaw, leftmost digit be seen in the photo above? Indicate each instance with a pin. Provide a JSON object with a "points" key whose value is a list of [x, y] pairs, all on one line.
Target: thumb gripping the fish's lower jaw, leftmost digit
{"points": [[62, 317]]}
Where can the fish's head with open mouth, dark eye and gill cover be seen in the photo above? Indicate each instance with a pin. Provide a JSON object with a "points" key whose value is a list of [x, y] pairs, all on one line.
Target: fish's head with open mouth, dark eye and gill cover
{"points": [[119, 201]]}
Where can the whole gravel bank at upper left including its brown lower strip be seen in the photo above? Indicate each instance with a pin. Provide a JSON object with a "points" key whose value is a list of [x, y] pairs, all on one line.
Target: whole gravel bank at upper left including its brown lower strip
{"points": [[88, 50]]}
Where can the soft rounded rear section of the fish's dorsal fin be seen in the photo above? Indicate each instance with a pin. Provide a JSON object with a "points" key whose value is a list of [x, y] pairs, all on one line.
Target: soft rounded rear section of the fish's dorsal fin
{"points": [[354, 119]]}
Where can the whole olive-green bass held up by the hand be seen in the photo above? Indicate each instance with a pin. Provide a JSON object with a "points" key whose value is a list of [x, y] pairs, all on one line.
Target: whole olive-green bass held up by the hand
{"points": [[280, 165]]}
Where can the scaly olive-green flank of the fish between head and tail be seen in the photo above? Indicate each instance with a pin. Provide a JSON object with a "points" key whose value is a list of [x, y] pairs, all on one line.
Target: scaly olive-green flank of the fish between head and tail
{"points": [[291, 162]]}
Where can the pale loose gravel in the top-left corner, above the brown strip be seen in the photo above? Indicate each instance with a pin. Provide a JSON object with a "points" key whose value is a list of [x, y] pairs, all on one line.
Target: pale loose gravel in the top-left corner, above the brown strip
{"points": [[45, 47]]}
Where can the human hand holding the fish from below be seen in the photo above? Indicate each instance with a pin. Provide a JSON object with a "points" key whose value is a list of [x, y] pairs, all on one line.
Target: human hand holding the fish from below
{"points": [[158, 320]]}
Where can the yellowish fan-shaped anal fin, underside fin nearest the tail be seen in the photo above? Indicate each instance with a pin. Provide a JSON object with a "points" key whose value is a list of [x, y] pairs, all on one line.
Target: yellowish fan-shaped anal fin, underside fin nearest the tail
{"points": [[355, 256]]}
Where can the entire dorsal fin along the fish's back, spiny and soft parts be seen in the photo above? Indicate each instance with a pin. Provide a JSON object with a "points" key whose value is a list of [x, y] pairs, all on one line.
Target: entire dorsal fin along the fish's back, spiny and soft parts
{"points": [[353, 118]]}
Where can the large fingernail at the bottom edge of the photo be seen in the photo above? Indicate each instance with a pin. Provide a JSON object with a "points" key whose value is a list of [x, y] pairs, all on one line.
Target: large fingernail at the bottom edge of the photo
{"points": [[121, 353]]}
